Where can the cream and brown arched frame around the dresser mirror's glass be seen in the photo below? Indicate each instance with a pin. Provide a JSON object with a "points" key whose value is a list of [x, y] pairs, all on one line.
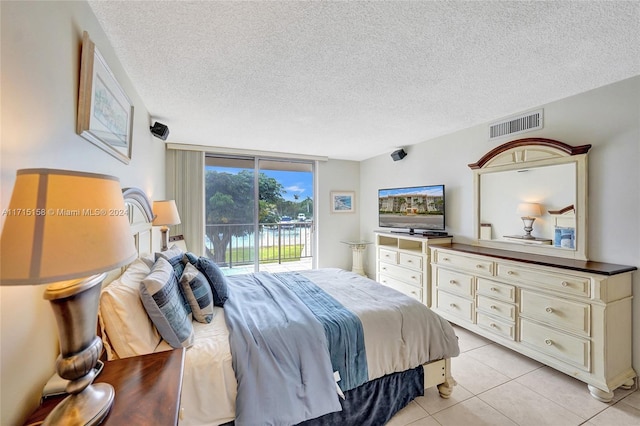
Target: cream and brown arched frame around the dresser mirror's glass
{"points": [[525, 154]]}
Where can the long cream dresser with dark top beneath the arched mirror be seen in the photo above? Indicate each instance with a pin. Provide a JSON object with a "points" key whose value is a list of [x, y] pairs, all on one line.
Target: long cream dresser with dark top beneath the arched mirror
{"points": [[574, 316]]}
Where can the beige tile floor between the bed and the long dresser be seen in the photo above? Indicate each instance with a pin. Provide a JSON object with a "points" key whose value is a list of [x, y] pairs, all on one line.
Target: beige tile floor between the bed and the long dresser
{"points": [[497, 386]]}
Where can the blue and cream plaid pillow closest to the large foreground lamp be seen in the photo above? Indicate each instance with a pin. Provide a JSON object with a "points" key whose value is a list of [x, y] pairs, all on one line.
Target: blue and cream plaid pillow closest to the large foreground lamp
{"points": [[163, 302]]}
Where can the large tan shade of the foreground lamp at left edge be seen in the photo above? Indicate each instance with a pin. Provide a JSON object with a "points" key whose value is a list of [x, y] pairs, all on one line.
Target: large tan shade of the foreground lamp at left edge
{"points": [[62, 225]]}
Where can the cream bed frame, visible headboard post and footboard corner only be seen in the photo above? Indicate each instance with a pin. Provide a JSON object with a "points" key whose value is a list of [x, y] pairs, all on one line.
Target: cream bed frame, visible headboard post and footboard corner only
{"points": [[436, 373]]}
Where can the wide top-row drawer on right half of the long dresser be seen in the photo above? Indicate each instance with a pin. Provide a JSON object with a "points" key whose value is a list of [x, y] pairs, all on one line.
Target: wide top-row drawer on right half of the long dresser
{"points": [[569, 284]]}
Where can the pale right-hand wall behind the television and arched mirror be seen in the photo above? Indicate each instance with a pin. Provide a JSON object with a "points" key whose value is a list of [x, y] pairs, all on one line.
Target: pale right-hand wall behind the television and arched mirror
{"points": [[608, 118]]}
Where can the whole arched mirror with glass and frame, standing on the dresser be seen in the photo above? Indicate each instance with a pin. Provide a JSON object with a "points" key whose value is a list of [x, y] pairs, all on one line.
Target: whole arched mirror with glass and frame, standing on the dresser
{"points": [[531, 197]]}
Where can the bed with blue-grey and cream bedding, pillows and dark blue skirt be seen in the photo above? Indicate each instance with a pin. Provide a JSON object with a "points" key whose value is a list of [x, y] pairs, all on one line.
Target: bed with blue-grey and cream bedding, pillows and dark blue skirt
{"points": [[316, 347]]}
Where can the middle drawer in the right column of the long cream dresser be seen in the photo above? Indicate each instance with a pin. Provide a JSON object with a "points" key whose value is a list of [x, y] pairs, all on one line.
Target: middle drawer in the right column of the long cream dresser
{"points": [[565, 314]]}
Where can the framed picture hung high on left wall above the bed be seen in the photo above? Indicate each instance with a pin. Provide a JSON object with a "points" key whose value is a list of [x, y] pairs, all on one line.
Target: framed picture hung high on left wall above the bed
{"points": [[105, 113]]}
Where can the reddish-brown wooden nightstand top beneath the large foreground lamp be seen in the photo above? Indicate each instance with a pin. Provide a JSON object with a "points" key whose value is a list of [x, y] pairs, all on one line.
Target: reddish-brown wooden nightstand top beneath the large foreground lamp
{"points": [[147, 390]]}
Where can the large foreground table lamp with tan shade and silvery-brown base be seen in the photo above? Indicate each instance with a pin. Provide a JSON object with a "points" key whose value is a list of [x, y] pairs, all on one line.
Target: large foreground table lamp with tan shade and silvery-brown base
{"points": [[66, 228]]}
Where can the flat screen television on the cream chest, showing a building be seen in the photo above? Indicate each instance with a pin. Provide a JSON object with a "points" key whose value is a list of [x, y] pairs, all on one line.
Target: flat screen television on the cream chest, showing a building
{"points": [[415, 209]]}
